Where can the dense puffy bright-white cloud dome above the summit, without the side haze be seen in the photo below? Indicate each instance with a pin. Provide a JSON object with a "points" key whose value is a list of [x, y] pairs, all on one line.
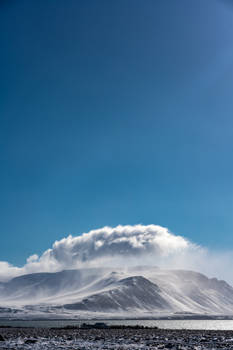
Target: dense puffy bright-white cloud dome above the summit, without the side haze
{"points": [[121, 241]]}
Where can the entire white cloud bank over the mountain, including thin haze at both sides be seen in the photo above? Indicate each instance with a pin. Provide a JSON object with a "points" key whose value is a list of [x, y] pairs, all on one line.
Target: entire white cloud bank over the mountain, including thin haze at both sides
{"points": [[124, 246]]}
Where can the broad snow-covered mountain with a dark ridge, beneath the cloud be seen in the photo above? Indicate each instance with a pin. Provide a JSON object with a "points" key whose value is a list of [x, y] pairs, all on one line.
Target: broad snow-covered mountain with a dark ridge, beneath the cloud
{"points": [[132, 291]]}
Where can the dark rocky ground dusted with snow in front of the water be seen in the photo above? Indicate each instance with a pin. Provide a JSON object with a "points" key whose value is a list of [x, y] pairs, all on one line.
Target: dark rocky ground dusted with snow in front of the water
{"points": [[93, 339]]}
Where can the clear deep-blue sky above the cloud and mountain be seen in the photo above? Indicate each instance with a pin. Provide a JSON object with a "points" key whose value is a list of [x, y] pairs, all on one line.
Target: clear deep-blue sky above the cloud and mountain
{"points": [[115, 112]]}
